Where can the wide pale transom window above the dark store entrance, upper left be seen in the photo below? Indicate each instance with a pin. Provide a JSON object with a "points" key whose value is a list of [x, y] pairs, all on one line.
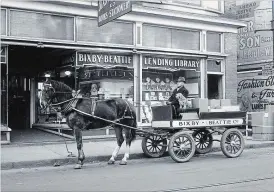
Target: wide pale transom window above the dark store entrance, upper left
{"points": [[39, 25]]}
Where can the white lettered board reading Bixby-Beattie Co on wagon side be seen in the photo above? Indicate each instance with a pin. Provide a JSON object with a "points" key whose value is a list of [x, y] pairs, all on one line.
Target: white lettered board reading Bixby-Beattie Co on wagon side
{"points": [[207, 123]]}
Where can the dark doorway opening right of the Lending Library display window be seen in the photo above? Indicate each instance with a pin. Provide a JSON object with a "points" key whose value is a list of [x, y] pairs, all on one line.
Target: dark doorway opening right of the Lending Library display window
{"points": [[214, 86]]}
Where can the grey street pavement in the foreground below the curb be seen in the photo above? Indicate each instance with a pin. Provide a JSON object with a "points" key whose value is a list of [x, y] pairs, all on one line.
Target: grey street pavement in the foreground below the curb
{"points": [[252, 171]]}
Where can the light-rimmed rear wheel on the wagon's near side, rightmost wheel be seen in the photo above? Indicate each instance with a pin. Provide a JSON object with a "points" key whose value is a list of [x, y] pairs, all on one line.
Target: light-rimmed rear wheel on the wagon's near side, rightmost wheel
{"points": [[232, 143]]}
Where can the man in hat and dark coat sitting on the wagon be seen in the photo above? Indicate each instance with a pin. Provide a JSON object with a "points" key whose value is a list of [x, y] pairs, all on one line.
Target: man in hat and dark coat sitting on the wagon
{"points": [[178, 98]]}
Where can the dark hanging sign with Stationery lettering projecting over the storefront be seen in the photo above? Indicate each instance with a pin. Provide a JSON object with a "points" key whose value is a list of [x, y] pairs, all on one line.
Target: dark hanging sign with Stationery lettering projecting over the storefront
{"points": [[108, 10]]}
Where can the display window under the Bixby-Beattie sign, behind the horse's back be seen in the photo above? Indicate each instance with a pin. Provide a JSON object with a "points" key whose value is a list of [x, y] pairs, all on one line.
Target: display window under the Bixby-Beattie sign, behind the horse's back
{"points": [[109, 82]]}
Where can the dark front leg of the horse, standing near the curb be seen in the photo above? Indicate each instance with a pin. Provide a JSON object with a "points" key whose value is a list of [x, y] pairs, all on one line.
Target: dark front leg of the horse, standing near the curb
{"points": [[79, 141]]}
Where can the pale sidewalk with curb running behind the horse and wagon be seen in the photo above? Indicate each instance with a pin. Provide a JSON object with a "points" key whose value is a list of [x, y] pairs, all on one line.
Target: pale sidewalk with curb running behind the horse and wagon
{"points": [[51, 154]]}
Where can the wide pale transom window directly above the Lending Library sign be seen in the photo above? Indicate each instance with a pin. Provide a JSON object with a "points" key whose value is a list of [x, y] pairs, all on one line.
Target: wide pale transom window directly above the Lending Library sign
{"points": [[157, 36]]}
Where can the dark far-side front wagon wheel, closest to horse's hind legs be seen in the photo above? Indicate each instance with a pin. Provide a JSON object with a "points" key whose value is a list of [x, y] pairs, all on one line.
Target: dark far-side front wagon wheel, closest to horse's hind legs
{"points": [[154, 146]]}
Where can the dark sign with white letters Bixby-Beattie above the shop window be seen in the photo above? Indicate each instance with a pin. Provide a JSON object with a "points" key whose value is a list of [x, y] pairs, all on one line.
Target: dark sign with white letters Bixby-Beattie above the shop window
{"points": [[104, 60]]}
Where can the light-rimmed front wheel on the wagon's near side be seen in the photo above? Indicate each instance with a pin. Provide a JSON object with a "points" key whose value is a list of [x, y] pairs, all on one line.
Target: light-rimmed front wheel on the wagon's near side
{"points": [[181, 147]]}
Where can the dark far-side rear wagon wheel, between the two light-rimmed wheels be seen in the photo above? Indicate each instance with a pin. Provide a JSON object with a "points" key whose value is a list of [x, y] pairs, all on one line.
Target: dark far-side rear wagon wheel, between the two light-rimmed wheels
{"points": [[203, 140]]}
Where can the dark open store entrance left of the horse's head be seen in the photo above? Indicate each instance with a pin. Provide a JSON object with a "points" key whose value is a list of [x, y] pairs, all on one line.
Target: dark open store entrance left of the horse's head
{"points": [[24, 65]]}
